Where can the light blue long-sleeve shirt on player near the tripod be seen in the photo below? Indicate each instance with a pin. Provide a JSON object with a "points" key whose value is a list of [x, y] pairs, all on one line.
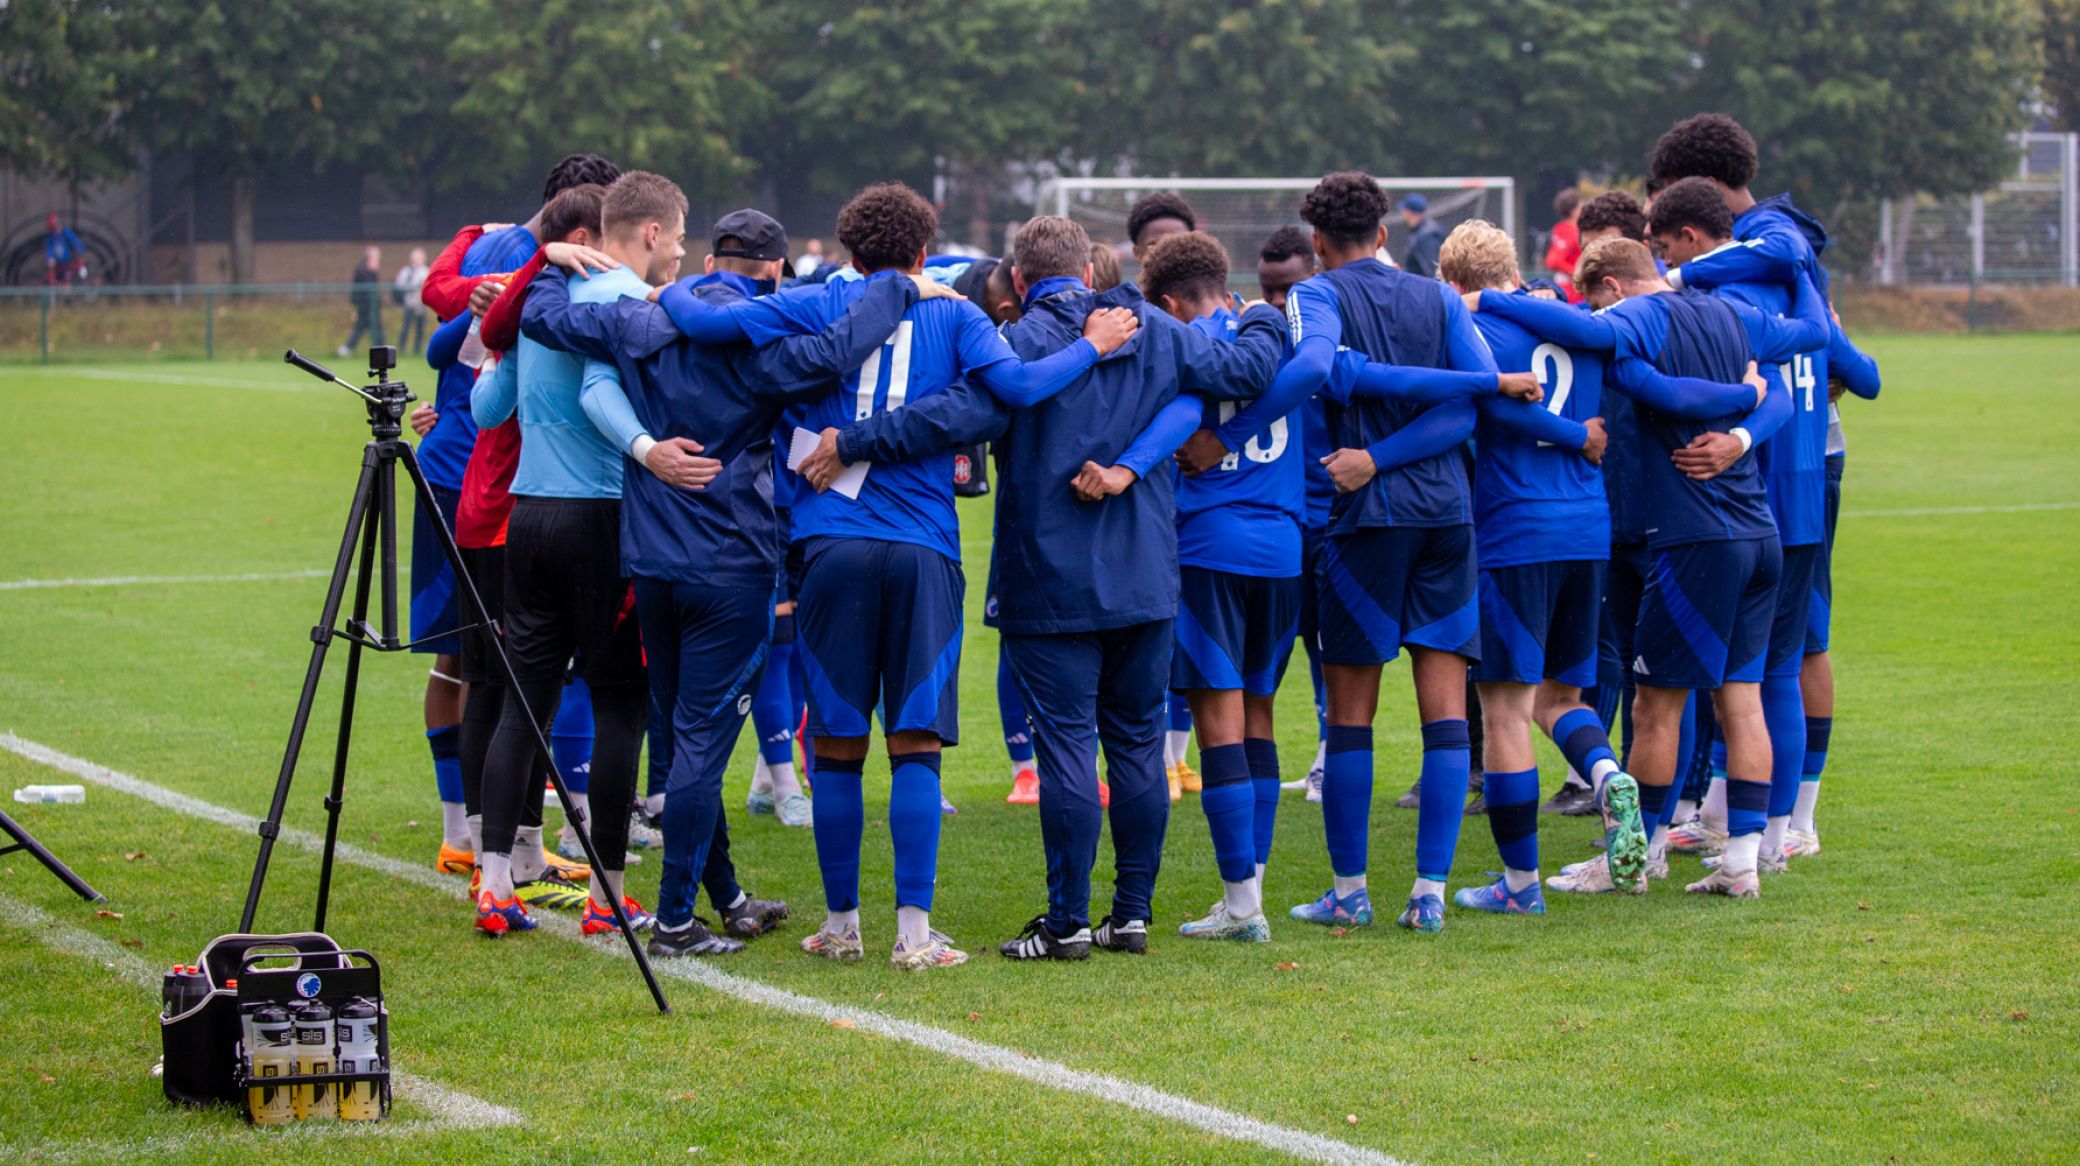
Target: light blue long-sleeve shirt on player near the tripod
{"points": [[571, 431]]}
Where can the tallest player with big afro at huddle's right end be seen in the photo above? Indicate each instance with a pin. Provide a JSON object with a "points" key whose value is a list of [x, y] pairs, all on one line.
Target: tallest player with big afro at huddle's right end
{"points": [[1777, 244]]}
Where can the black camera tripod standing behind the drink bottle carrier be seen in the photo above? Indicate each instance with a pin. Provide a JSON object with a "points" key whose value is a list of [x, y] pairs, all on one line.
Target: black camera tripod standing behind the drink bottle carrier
{"points": [[373, 529]]}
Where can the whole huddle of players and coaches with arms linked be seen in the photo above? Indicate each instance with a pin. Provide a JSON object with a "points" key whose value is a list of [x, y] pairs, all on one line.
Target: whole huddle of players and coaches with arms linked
{"points": [[731, 496]]}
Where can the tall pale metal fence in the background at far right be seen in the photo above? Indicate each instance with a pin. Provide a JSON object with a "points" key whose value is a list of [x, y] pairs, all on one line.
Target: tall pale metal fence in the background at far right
{"points": [[2025, 232]]}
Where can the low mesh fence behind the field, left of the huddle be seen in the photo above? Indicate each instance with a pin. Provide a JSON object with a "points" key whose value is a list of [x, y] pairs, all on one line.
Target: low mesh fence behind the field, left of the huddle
{"points": [[190, 321]]}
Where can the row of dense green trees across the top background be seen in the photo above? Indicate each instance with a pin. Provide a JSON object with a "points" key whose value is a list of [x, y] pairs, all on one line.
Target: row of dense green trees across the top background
{"points": [[1850, 99]]}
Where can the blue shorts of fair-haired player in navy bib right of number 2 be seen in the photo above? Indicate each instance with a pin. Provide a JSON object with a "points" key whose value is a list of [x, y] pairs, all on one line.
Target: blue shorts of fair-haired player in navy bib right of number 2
{"points": [[1707, 612]]}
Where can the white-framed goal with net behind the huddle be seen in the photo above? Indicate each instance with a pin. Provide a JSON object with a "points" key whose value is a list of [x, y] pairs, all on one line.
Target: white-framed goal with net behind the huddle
{"points": [[1243, 213]]}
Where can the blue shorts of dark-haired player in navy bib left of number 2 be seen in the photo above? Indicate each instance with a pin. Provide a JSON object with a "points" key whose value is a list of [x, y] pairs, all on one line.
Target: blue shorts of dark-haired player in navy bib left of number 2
{"points": [[1384, 587]]}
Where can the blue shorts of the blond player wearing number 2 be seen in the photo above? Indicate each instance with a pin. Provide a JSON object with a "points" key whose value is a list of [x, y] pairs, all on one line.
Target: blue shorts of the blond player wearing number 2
{"points": [[1540, 622]]}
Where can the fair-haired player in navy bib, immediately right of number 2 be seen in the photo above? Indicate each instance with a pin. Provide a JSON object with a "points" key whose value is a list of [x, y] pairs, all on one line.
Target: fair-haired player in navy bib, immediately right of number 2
{"points": [[1705, 622]]}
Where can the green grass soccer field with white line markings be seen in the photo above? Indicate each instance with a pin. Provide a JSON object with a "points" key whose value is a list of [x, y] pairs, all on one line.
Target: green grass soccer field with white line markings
{"points": [[1906, 997]]}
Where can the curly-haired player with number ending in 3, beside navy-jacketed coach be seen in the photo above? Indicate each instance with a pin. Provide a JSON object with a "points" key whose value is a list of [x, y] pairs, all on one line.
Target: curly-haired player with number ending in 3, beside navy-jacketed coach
{"points": [[1239, 560]]}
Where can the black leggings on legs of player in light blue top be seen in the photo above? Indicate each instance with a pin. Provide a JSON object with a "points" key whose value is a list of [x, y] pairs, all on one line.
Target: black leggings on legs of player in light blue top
{"points": [[515, 764]]}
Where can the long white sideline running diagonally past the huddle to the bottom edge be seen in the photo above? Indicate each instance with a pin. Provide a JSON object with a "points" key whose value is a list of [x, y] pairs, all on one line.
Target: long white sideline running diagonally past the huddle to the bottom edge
{"points": [[1056, 1076]]}
